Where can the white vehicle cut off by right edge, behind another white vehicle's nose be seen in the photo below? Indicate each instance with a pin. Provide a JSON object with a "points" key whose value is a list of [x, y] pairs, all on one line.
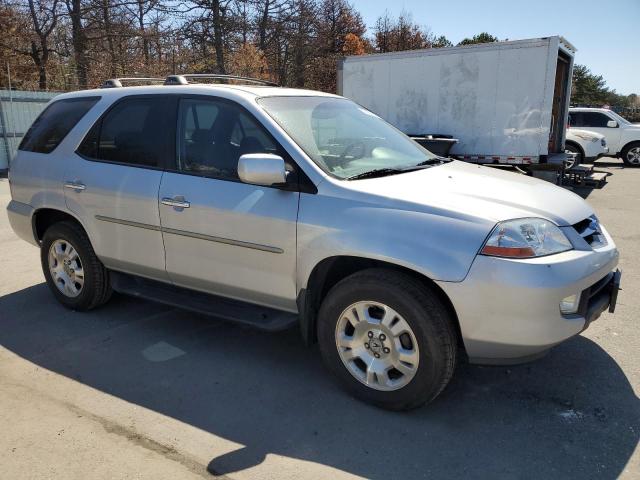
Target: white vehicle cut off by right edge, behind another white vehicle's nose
{"points": [[623, 137]]}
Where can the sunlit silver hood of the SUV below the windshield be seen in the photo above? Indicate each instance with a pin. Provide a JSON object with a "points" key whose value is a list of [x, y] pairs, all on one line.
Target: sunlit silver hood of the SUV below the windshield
{"points": [[460, 189]]}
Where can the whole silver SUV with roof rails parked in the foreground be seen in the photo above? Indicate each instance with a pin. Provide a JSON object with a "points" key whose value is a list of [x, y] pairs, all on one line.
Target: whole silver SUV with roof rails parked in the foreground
{"points": [[278, 207]]}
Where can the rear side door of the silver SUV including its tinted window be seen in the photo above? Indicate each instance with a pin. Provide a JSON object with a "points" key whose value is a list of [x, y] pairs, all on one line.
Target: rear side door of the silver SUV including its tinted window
{"points": [[113, 178]]}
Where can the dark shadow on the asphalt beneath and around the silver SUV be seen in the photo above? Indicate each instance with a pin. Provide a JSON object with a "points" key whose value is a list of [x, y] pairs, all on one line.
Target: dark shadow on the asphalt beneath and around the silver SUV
{"points": [[572, 414]]}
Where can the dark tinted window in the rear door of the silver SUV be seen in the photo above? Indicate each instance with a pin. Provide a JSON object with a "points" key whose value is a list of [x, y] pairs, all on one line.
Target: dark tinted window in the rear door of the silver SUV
{"points": [[136, 131]]}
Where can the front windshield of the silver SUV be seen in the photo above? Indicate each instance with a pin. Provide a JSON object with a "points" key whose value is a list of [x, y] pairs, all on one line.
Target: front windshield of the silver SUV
{"points": [[343, 138]]}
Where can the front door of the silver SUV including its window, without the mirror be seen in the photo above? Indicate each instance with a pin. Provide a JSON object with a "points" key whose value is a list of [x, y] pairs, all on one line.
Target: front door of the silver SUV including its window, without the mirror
{"points": [[221, 235]]}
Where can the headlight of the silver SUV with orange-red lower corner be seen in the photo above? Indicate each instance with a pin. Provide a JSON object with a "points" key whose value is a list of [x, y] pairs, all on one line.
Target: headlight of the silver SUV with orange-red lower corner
{"points": [[525, 238]]}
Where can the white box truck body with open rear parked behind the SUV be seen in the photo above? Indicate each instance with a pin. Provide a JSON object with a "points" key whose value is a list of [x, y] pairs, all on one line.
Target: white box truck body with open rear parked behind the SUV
{"points": [[505, 102]]}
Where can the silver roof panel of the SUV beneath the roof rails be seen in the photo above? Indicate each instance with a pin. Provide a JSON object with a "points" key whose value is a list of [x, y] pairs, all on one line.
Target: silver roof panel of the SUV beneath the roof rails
{"points": [[228, 91]]}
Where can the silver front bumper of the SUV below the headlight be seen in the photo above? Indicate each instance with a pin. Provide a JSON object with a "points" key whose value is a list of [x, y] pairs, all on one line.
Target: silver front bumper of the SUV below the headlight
{"points": [[509, 309]]}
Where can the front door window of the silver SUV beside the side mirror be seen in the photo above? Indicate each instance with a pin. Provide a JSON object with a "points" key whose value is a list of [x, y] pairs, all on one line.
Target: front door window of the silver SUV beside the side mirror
{"points": [[213, 134]]}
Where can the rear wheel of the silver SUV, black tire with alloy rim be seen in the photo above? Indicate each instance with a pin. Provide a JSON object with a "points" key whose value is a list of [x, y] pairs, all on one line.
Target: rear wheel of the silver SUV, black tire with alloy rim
{"points": [[92, 288]]}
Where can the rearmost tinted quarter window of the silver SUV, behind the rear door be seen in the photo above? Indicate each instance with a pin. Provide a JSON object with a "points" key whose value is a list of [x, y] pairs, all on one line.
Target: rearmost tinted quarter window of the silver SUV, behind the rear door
{"points": [[54, 123]]}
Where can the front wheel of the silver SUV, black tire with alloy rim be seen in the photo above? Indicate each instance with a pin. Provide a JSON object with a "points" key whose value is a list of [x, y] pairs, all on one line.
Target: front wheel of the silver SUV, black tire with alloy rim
{"points": [[431, 328]]}
